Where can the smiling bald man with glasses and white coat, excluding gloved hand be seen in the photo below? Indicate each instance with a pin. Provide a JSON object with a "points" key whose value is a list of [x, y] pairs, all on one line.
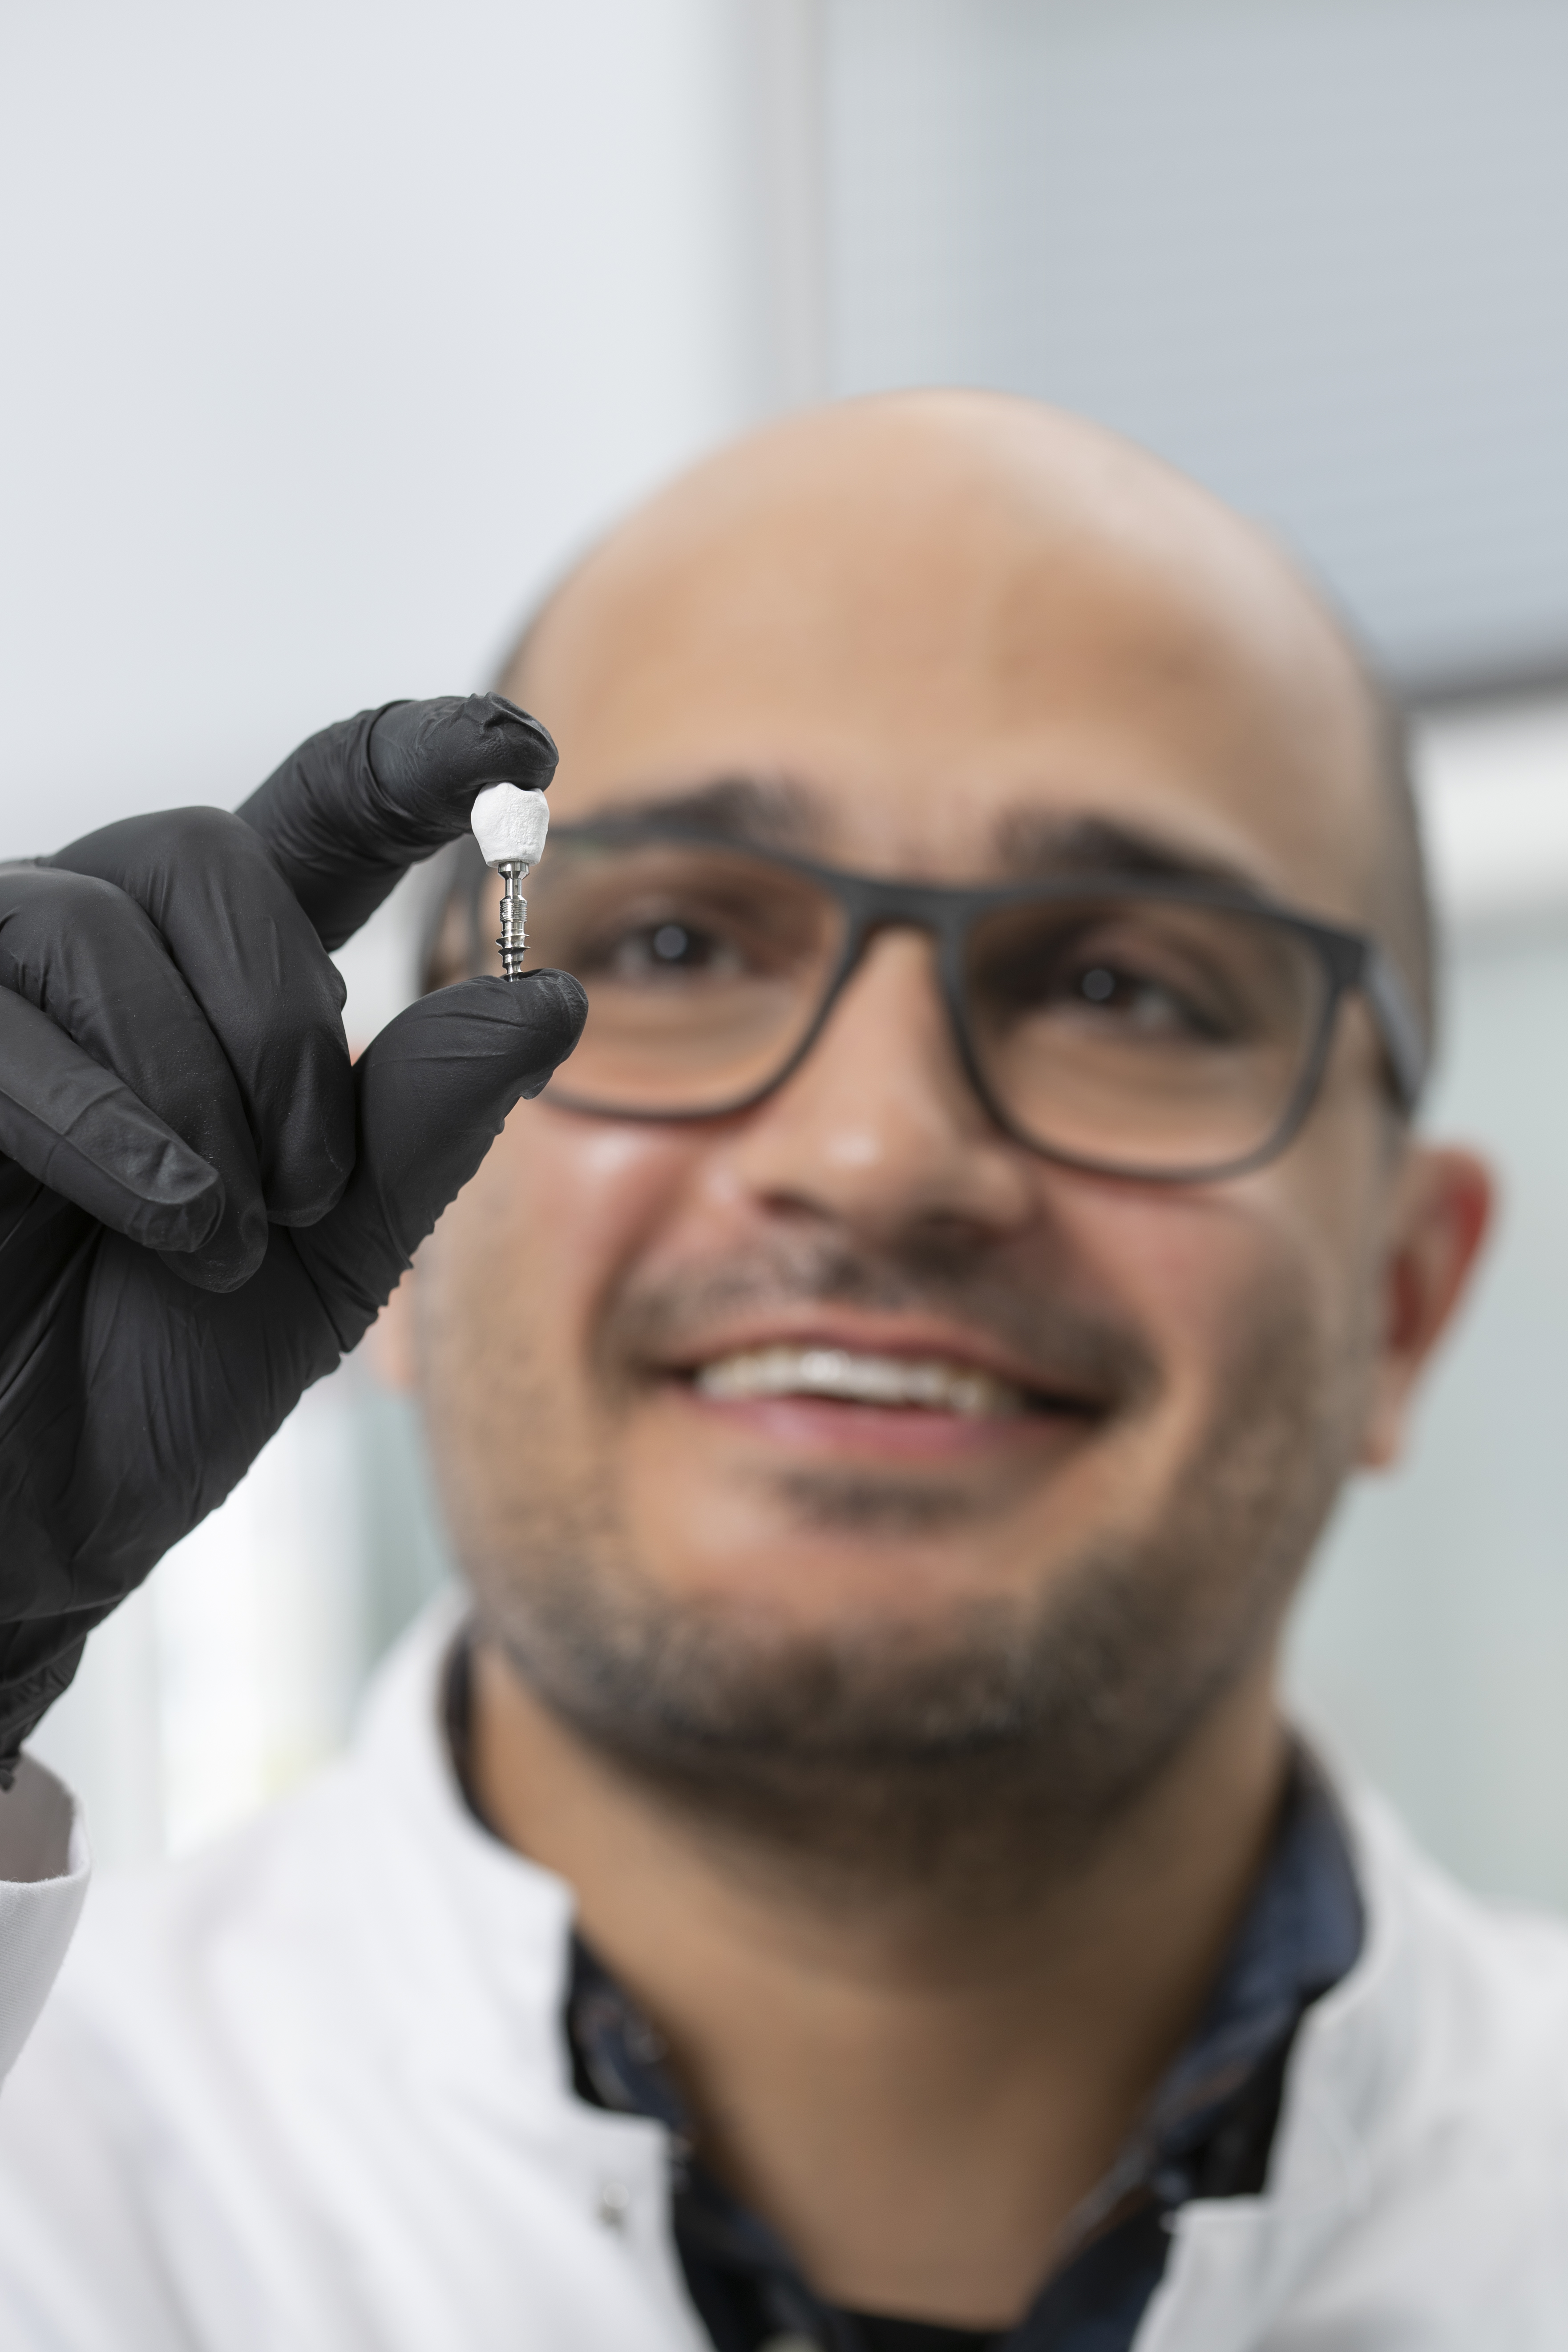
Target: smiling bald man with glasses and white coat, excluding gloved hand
{"points": [[843, 1878]]}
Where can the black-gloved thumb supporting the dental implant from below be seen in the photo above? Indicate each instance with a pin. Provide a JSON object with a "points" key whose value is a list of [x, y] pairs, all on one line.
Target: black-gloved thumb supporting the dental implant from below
{"points": [[434, 1090]]}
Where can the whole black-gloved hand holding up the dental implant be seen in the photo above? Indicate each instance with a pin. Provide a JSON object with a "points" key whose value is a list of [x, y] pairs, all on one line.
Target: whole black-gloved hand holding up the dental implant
{"points": [[201, 1203]]}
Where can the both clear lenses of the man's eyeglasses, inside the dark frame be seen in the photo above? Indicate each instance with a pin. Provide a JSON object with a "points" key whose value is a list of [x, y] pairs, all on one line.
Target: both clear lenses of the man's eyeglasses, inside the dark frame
{"points": [[1118, 1031]]}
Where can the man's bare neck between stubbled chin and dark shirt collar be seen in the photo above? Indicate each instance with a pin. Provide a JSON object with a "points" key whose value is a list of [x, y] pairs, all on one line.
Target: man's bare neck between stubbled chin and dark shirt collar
{"points": [[913, 2090]]}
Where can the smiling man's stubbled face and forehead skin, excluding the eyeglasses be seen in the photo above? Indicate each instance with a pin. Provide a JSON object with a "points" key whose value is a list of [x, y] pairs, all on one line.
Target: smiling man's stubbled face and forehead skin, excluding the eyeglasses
{"points": [[930, 664]]}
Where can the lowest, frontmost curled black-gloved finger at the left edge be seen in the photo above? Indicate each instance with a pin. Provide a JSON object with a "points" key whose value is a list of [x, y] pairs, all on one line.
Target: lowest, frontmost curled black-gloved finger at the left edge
{"points": [[83, 1135]]}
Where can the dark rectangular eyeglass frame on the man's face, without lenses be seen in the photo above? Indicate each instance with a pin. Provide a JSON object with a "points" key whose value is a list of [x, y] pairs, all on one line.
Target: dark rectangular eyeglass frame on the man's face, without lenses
{"points": [[949, 914]]}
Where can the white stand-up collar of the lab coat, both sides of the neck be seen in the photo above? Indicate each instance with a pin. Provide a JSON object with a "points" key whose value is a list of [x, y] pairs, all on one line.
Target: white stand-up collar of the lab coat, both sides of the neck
{"points": [[485, 1909]]}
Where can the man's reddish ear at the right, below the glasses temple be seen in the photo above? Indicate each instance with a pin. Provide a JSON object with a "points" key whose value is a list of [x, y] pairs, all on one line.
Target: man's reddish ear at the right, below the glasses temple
{"points": [[1442, 1212]]}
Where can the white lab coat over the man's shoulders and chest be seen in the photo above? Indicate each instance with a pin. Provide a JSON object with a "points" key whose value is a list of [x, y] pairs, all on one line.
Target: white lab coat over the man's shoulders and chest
{"points": [[309, 2094]]}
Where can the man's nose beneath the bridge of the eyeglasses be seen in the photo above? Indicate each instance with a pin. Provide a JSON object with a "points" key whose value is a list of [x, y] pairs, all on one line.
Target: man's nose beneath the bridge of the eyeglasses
{"points": [[880, 1128]]}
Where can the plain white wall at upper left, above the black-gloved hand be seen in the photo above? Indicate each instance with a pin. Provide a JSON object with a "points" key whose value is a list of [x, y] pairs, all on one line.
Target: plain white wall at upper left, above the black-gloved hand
{"points": [[333, 330]]}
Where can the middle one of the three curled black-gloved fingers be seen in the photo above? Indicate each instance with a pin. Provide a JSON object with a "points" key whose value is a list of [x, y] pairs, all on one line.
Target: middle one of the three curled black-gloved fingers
{"points": [[93, 963]]}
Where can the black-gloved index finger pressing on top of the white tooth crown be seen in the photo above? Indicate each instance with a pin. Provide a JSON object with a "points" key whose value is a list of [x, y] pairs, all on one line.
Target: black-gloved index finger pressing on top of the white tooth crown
{"points": [[356, 806]]}
